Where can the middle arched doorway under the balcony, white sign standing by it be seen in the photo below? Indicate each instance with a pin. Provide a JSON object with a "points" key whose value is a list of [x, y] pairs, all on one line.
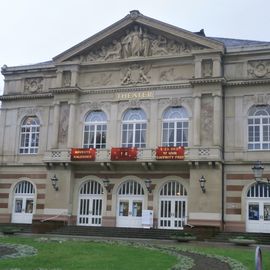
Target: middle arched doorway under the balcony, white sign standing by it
{"points": [[130, 203]]}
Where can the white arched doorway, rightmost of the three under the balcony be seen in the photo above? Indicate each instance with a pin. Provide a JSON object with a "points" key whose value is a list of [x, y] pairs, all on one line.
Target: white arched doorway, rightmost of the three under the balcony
{"points": [[172, 206]]}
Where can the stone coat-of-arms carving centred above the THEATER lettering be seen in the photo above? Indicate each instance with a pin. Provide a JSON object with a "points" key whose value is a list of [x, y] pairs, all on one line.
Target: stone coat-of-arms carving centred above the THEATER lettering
{"points": [[135, 74]]}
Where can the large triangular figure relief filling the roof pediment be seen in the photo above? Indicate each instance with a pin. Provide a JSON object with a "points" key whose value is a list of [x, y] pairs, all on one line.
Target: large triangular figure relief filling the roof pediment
{"points": [[138, 42]]}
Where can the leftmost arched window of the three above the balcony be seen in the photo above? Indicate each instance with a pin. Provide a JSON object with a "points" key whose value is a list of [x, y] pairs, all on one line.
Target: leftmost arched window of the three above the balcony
{"points": [[95, 130]]}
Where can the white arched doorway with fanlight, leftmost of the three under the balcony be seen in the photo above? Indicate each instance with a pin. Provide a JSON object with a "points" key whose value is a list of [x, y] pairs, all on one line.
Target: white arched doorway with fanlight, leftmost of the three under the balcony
{"points": [[90, 204]]}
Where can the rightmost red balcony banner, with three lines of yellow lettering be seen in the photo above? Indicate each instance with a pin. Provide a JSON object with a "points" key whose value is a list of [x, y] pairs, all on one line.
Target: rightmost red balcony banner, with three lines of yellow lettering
{"points": [[170, 153]]}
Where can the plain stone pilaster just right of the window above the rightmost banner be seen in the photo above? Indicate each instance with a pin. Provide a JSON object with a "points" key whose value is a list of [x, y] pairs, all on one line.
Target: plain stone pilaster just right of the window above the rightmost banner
{"points": [[197, 121]]}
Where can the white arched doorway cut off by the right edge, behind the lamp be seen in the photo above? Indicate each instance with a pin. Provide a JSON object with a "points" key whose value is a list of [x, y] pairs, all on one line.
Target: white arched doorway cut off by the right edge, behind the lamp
{"points": [[258, 208]]}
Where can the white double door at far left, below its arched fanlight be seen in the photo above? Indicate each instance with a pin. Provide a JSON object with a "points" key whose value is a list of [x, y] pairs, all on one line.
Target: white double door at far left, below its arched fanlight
{"points": [[23, 208]]}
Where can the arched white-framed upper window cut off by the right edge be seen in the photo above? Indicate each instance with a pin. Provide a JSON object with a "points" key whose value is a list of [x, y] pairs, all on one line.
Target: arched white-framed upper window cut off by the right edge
{"points": [[259, 128]]}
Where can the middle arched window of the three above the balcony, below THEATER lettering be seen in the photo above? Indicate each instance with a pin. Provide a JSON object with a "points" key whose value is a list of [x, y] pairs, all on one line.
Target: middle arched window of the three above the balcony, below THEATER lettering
{"points": [[134, 128]]}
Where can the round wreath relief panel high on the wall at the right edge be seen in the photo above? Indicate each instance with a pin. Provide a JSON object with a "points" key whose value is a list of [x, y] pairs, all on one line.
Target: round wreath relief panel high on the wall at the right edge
{"points": [[259, 69]]}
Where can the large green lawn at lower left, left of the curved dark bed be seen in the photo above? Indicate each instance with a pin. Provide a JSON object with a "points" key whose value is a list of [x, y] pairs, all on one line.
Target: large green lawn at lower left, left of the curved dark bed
{"points": [[86, 255]]}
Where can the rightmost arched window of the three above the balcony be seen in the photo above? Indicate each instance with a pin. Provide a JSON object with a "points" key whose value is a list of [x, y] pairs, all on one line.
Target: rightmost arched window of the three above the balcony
{"points": [[175, 127]]}
